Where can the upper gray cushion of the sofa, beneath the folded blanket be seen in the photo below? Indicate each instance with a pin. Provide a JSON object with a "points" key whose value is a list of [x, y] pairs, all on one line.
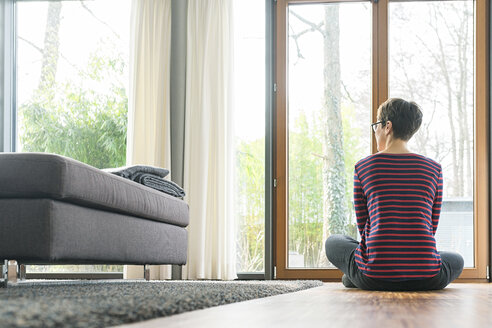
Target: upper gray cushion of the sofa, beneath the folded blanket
{"points": [[40, 175]]}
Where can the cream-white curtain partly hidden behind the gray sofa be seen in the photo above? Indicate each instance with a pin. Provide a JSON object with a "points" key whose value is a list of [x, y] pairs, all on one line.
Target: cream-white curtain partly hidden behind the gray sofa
{"points": [[148, 140]]}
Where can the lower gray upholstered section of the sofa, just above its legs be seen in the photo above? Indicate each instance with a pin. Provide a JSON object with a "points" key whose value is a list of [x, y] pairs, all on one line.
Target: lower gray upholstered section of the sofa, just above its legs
{"points": [[49, 231]]}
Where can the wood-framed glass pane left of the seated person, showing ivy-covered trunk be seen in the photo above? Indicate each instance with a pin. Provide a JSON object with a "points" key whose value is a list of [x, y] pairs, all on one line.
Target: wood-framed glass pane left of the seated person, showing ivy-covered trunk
{"points": [[329, 106]]}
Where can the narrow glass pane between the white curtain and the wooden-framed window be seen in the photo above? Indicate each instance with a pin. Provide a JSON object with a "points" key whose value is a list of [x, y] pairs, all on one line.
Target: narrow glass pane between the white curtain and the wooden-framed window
{"points": [[249, 105]]}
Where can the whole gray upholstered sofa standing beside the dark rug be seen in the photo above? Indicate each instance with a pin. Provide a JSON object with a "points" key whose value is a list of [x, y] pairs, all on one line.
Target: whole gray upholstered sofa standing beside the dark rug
{"points": [[54, 209]]}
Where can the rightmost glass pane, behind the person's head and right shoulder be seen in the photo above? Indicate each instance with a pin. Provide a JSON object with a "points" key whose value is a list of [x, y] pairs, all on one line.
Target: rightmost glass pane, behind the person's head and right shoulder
{"points": [[431, 61]]}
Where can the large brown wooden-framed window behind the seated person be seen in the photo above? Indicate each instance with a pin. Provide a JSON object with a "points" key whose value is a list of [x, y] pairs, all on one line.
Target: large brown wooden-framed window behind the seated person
{"points": [[337, 62]]}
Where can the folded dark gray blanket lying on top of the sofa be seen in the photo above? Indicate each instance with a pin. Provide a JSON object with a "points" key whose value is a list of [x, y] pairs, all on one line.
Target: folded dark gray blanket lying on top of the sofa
{"points": [[149, 176]]}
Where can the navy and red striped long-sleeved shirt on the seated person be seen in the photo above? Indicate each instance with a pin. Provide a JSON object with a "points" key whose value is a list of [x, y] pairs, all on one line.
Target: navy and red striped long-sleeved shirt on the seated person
{"points": [[397, 199]]}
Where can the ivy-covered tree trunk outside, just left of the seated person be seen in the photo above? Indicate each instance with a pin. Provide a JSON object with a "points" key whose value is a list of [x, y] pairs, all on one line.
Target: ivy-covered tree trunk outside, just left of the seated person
{"points": [[334, 184]]}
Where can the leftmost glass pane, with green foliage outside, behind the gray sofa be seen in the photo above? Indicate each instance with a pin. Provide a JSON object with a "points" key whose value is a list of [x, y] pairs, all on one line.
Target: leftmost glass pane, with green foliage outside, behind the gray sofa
{"points": [[72, 77]]}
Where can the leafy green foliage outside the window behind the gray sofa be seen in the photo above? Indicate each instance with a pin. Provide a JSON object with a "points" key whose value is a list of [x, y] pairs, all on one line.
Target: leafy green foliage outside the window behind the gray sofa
{"points": [[84, 121]]}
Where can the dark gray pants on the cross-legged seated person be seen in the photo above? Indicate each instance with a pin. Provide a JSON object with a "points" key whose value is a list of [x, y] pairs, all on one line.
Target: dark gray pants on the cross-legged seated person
{"points": [[340, 251]]}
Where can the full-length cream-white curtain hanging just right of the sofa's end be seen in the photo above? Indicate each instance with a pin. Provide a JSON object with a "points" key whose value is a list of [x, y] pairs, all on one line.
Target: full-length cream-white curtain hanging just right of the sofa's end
{"points": [[209, 142]]}
